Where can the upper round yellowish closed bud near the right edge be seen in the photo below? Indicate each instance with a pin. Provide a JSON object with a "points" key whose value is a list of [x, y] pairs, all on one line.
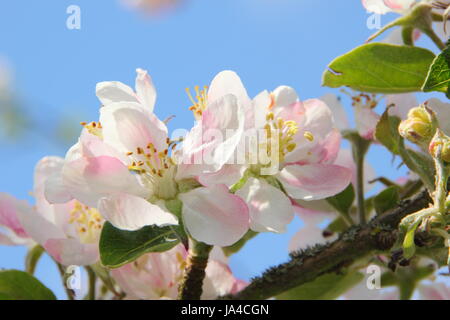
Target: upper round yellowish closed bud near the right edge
{"points": [[420, 126]]}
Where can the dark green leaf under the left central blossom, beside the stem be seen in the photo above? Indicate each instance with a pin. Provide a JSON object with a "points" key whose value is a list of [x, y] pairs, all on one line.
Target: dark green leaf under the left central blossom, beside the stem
{"points": [[119, 247]]}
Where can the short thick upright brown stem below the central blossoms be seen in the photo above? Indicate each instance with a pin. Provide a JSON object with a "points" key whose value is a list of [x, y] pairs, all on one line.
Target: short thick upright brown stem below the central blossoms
{"points": [[191, 287]]}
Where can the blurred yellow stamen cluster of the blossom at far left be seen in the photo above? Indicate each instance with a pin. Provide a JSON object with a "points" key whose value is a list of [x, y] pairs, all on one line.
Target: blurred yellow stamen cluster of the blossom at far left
{"points": [[88, 222]]}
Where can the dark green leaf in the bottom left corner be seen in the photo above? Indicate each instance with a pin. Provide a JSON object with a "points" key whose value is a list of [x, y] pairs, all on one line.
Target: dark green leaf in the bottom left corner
{"points": [[19, 285]]}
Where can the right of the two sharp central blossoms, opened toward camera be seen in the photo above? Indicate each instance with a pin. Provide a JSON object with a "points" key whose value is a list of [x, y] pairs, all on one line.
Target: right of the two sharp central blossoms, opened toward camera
{"points": [[298, 140]]}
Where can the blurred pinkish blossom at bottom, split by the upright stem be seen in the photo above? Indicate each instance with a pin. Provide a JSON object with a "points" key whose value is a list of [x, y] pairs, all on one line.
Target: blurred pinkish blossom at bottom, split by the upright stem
{"points": [[157, 276]]}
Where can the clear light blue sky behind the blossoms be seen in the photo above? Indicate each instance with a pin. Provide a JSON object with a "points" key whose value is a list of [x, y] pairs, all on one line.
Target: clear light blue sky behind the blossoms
{"points": [[268, 42]]}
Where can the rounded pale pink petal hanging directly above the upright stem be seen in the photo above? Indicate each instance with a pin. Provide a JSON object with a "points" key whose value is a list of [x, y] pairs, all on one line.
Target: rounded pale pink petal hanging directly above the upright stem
{"points": [[214, 216]]}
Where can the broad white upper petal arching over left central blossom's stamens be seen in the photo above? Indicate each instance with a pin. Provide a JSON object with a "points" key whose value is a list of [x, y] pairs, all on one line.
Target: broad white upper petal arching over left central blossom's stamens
{"points": [[127, 126]]}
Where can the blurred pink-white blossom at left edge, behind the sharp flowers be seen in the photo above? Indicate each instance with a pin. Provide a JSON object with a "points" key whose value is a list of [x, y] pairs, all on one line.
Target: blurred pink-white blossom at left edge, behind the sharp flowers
{"points": [[69, 232]]}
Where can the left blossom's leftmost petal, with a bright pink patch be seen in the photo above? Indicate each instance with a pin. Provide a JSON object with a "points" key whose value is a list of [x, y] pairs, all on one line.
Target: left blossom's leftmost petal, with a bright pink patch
{"points": [[89, 179]]}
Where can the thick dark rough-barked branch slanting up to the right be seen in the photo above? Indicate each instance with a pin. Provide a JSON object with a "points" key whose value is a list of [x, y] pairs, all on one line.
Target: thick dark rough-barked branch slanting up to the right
{"points": [[355, 243]]}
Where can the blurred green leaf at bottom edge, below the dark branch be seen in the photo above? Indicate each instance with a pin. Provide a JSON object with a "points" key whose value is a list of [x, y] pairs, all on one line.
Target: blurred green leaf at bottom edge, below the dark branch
{"points": [[327, 287]]}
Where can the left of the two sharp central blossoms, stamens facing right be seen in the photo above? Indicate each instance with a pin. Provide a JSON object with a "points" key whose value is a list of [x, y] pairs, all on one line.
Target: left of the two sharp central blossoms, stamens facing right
{"points": [[124, 166]]}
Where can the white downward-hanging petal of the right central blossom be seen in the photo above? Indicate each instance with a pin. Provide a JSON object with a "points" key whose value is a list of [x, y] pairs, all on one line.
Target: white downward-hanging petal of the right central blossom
{"points": [[269, 208]]}
